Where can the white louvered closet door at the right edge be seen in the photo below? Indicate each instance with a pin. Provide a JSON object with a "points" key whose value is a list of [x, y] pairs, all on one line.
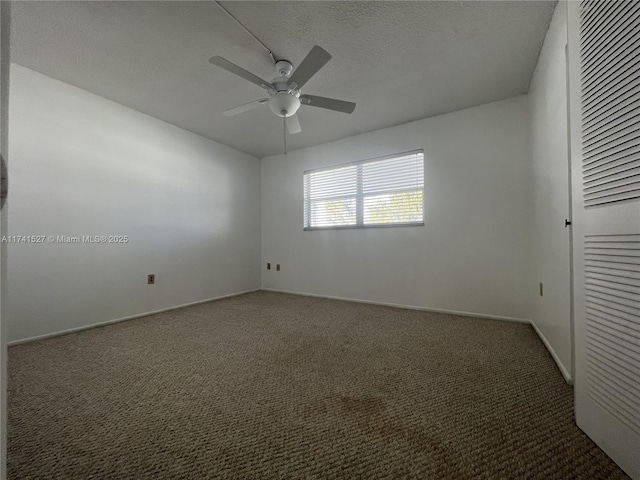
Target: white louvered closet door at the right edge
{"points": [[604, 91]]}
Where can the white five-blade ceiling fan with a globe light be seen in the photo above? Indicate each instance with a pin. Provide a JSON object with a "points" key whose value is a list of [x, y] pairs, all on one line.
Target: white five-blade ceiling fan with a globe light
{"points": [[284, 92]]}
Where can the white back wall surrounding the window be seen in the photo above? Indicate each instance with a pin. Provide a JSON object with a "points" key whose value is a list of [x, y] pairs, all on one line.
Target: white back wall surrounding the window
{"points": [[470, 256]]}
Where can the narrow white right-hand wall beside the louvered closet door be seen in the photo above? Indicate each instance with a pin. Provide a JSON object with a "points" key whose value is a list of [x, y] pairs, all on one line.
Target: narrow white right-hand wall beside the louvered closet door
{"points": [[550, 245]]}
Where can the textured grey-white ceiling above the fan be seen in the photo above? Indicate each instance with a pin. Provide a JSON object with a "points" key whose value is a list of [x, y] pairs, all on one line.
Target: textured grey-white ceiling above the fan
{"points": [[399, 61]]}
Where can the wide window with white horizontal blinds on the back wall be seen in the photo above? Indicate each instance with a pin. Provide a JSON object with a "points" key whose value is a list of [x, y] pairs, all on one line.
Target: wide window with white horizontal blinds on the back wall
{"points": [[379, 192]]}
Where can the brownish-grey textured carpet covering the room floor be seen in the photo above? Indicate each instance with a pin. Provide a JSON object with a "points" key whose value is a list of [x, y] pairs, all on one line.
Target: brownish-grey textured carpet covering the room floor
{"points": [[274, 386]]}
